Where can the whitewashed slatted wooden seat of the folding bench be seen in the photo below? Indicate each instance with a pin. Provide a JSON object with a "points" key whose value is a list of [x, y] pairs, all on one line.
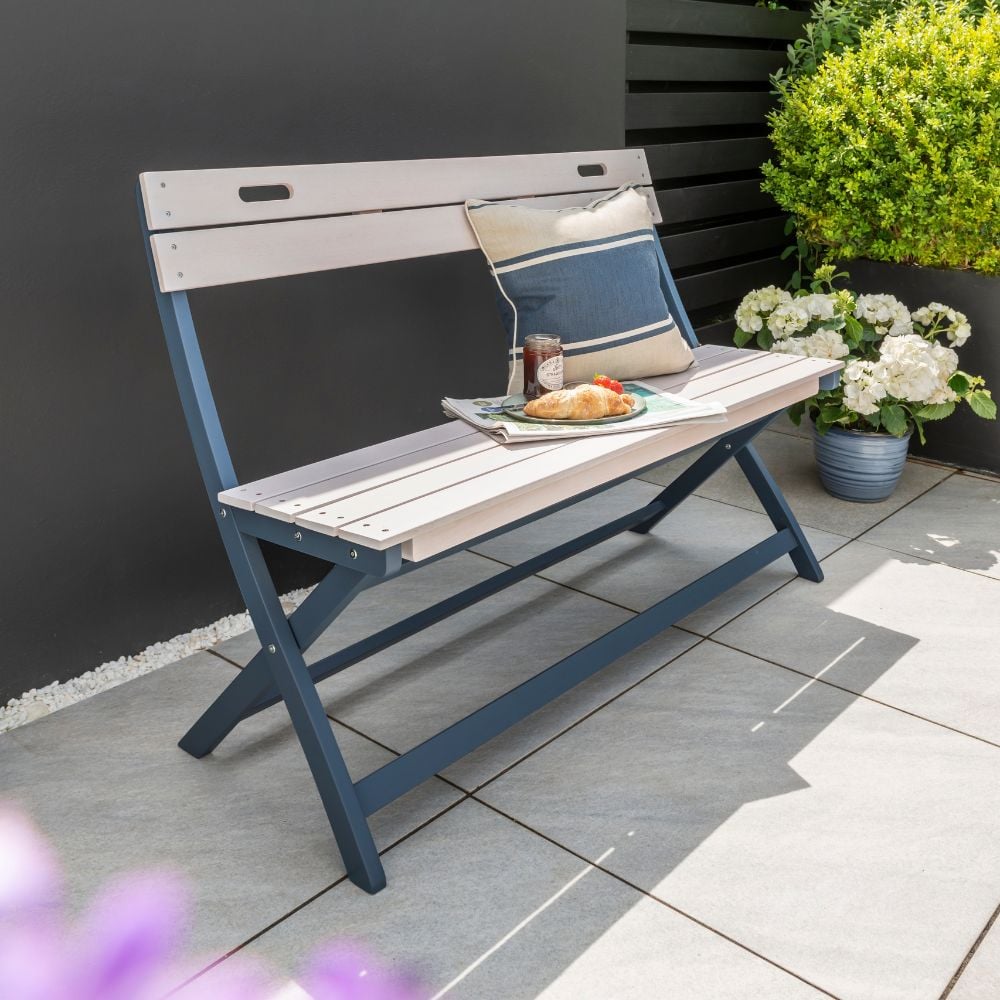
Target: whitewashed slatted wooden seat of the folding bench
{"points": [[440, 488]]}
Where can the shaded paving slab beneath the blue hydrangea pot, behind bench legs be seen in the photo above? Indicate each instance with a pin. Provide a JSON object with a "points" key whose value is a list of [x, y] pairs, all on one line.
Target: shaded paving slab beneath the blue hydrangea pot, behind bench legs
{"points": [[790, 459]]}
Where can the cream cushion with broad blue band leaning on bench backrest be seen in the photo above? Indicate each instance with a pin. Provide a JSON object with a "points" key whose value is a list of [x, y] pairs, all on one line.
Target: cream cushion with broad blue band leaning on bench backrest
{"points": [[590, 275]]}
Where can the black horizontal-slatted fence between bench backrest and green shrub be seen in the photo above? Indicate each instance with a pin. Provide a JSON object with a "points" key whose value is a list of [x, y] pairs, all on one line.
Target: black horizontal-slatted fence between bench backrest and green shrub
{"points": [[697, 100]]}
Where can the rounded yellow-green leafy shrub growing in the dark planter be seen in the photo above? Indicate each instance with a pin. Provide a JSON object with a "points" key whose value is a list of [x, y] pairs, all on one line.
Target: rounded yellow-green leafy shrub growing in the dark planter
{"points": [[892, 150]]}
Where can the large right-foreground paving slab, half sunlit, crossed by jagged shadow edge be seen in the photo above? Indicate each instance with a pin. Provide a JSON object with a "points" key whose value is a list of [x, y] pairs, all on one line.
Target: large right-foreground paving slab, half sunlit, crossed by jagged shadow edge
{"points": [[849, 842]]}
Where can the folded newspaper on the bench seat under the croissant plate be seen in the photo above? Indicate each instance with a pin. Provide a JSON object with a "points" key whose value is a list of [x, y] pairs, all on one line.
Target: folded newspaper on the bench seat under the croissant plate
{"points": [[662, 408]]}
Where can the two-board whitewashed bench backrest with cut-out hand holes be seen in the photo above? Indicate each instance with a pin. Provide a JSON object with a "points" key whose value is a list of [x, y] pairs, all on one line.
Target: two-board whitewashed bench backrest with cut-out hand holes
{"points": [[243, 224]]}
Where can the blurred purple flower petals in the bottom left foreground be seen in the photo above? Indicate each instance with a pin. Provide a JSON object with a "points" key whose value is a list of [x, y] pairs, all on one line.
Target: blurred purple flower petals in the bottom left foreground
{"points": [[127, 945]]}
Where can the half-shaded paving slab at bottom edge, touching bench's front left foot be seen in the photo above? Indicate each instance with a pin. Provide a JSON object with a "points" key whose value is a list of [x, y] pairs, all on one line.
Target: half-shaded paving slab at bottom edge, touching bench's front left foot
{"points": [[479, 907]]}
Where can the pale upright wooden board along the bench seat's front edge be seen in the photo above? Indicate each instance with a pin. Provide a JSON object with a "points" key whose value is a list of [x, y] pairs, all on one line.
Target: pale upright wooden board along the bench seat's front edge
{"points": [[460, 529]]}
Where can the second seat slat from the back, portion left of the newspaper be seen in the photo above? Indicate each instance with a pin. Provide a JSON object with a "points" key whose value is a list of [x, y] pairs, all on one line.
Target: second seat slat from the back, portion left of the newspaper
{"points": [[333, 492]]}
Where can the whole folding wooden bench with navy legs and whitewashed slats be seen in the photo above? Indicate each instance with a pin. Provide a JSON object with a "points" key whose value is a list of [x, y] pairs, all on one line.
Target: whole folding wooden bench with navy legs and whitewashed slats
{"points": [[385, 510]]}
